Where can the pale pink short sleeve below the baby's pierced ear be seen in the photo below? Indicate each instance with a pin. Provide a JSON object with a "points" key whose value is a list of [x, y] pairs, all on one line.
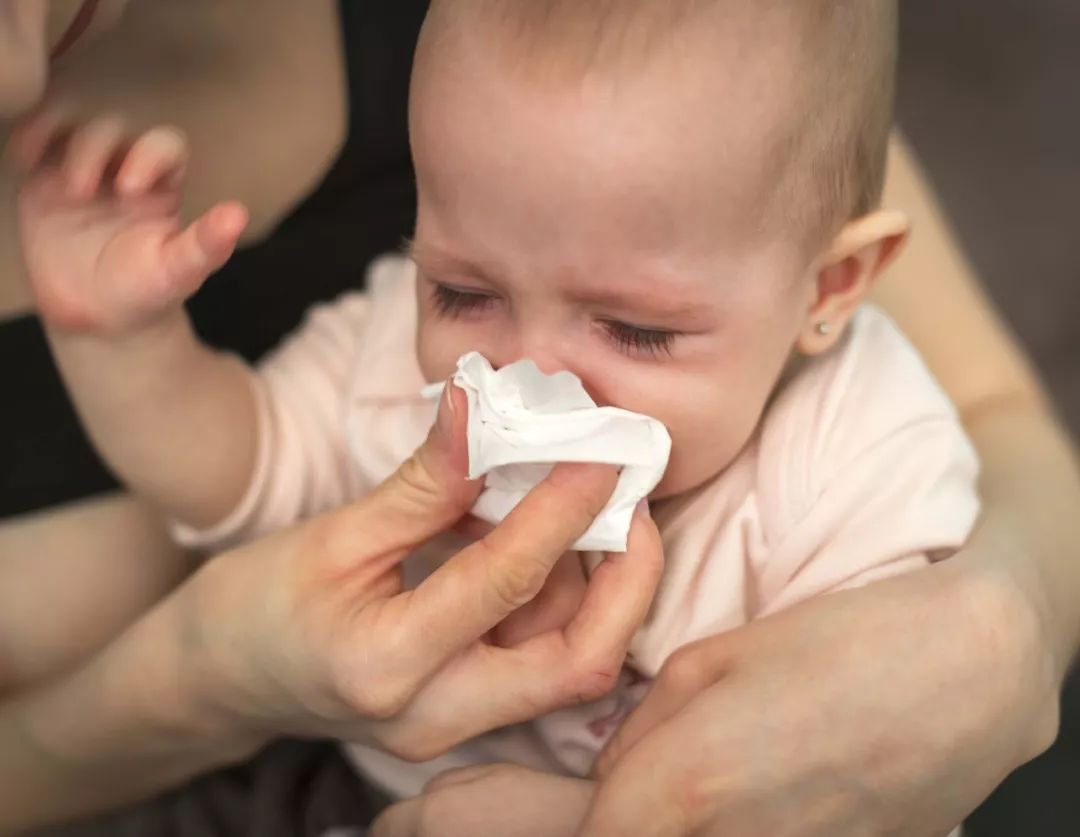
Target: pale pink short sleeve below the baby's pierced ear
{"points": [[909, 498]]}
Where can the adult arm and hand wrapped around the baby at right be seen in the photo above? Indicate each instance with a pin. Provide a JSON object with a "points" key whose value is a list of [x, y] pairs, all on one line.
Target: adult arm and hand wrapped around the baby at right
{"points": [[897, 708]]}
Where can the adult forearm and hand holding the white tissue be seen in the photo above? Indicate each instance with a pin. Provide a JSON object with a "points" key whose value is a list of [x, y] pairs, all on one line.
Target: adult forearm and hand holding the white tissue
{"points": [[310, 633]]}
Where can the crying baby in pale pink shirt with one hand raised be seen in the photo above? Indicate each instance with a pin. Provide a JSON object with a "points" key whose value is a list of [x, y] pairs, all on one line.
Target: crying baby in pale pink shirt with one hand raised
{"points": [[677, 200]]}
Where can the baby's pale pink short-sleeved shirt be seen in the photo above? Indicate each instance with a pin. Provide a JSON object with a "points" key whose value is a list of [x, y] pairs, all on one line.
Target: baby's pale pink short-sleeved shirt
{"points": [[860, 471]]}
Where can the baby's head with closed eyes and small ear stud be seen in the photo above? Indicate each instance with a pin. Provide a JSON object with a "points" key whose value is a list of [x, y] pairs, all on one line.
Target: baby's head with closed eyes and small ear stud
{"points": [[668, 198]]}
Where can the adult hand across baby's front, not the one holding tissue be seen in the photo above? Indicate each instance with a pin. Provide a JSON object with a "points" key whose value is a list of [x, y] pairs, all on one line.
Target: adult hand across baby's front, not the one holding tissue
{"points": [[894, 710]]}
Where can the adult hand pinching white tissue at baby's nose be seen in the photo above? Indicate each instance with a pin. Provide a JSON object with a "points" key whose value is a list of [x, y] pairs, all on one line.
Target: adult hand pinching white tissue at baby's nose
{"points": [[312, 633]]}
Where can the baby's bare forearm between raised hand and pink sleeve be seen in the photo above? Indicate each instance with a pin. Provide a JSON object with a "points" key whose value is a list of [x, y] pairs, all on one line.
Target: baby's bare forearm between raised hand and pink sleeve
{"points": [[174, 420]]}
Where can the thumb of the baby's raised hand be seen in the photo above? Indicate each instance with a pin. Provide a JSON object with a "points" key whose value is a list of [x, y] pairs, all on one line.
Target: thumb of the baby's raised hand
{"points": [[192, 255]]}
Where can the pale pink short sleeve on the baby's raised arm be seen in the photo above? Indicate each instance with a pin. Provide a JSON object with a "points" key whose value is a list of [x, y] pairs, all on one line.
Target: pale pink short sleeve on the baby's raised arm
{"points": [[303, 465]]}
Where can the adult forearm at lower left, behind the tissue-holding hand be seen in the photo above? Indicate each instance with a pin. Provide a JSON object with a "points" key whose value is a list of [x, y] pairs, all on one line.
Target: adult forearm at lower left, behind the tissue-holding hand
{"points": [[132, 723]]}
